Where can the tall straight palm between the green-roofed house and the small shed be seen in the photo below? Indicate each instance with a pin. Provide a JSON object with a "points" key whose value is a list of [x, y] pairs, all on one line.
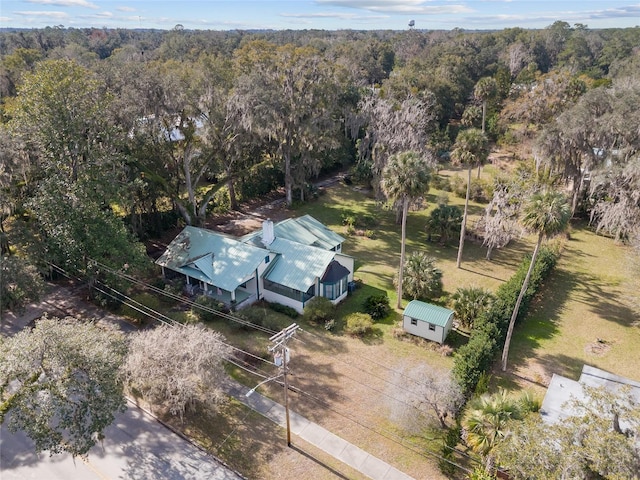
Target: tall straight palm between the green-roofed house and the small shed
{"points": [[405, 178]]}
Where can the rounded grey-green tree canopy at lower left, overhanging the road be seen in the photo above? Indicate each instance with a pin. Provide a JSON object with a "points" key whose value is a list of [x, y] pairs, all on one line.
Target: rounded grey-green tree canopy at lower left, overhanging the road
{"points": [[60, 383]]}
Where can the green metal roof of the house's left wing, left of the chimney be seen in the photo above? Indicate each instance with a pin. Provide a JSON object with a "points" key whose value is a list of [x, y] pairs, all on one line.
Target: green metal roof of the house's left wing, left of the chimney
{"points": [[212, 257]]}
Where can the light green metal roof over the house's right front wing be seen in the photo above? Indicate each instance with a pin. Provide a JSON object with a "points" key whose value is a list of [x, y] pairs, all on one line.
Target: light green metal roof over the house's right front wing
{"points": [[297, 265]]}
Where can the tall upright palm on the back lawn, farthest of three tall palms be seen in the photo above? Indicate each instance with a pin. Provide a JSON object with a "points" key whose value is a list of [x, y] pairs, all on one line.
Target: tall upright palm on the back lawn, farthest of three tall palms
{"points": [[470, 149]]}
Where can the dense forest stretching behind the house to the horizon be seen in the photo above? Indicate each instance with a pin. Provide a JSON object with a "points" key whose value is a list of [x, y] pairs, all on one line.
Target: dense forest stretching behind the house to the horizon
{"points": [[109, 137]]}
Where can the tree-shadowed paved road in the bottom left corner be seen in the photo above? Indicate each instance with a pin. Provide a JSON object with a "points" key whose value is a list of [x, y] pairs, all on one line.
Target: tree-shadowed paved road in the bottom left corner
{"points": [[136, 446]]}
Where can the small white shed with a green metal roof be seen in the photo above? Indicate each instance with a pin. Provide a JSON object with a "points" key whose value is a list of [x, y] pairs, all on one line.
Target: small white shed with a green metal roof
{"points": [[427, 321]]}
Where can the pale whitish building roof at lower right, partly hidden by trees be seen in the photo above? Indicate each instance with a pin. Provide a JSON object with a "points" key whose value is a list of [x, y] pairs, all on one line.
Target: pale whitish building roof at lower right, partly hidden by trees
{"points": [[556, 405]]}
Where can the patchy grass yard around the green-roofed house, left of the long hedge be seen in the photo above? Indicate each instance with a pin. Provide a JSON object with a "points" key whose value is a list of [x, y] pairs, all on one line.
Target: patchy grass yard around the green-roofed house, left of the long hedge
{"points": [[349, 385]]}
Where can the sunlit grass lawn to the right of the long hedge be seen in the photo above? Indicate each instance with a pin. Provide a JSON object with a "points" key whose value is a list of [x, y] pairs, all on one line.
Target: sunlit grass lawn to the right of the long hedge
{"points": [[587, 314]]}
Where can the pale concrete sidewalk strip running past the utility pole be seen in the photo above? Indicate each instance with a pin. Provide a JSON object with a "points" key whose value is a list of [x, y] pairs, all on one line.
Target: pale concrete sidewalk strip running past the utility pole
{"points": [[335, 446]]}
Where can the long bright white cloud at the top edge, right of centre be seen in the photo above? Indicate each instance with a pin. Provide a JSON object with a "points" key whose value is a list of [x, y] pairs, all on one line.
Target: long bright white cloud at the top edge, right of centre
{"points": [[413, 7]]}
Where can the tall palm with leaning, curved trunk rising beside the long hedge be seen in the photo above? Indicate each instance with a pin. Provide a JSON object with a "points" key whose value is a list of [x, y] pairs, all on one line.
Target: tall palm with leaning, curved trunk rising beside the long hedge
{"points": [[547, 214]]}
